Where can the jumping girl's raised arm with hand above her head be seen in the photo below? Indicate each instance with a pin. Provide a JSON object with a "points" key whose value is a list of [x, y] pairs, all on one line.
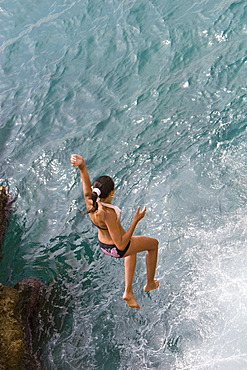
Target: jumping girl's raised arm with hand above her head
{"points": [[77, 161]]}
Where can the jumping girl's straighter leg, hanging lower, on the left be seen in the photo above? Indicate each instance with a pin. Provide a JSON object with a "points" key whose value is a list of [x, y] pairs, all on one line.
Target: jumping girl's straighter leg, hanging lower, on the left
{"points": [[129, 265]]}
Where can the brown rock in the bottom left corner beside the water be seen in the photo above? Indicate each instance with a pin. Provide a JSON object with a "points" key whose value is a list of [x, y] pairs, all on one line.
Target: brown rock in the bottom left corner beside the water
{"points": [[19, 307]]}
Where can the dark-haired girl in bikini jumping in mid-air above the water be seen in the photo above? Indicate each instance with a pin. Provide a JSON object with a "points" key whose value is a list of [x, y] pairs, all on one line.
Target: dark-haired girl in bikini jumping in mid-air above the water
{"points": [[113, 239]]}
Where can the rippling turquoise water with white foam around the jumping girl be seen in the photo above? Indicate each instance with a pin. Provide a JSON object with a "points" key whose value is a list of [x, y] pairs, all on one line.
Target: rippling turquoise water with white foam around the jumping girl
{"points": [[152, 93]]}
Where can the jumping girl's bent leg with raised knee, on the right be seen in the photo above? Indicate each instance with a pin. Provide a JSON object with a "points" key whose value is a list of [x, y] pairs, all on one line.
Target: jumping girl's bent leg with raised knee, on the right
{"points": [[150, 245]]}
